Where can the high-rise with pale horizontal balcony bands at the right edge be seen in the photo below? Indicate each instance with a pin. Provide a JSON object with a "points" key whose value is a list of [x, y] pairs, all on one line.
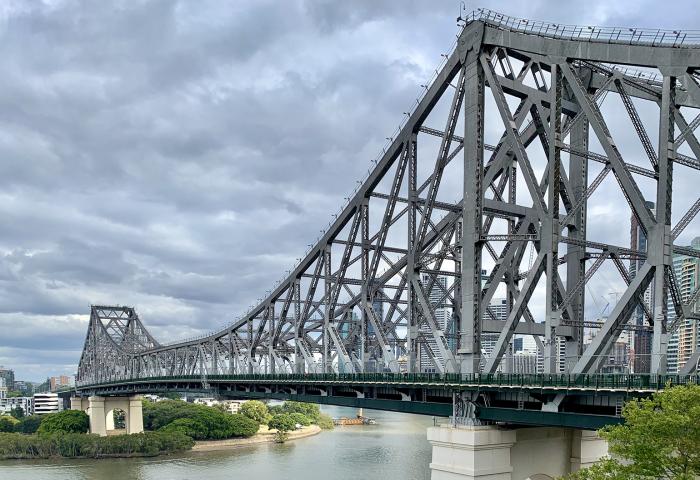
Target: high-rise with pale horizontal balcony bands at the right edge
{"points": [[685, 340]]}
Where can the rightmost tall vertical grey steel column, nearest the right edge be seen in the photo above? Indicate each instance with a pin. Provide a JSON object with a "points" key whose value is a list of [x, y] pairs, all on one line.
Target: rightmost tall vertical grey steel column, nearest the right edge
{"points": [[660, 241]]}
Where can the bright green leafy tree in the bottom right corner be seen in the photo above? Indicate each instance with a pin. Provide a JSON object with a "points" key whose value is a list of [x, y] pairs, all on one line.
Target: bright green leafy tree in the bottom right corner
{"points": [[660, 439]]}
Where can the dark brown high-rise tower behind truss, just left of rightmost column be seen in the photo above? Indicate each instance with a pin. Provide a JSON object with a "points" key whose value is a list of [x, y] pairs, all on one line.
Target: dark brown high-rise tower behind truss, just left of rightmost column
{"points": [[642, 338]]}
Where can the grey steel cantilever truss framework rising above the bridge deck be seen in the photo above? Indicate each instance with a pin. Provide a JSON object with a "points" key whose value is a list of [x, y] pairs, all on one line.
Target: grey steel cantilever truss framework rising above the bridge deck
{"points": [[369, 298]]}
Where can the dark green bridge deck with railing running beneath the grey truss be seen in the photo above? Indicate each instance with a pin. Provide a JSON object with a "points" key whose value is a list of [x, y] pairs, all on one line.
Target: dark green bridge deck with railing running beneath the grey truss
{"points": [[591, 400]]}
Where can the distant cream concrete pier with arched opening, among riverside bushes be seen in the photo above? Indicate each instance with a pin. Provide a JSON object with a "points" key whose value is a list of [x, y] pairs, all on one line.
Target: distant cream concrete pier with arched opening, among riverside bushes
{"points": [[101, 412]]}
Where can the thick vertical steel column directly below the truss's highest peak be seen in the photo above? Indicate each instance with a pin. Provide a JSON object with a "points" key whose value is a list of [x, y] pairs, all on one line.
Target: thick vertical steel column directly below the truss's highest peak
{"points": [[469, 351]]}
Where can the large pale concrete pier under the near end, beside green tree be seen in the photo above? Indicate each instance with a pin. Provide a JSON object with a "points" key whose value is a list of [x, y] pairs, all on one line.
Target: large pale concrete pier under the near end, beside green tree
{"points": [[496, 453]]}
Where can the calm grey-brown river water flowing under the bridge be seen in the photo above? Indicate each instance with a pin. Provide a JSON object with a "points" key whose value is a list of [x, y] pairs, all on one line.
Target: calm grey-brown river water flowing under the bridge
{"points": [[394, 448]]}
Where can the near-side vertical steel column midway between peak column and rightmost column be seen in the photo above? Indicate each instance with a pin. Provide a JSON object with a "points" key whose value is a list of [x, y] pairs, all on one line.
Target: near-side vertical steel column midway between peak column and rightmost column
{"points": [[550, 224]]}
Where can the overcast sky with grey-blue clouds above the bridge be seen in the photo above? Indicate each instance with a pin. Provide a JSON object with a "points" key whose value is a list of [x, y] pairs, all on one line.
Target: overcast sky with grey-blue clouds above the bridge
{"points": [[179, 156]]}
